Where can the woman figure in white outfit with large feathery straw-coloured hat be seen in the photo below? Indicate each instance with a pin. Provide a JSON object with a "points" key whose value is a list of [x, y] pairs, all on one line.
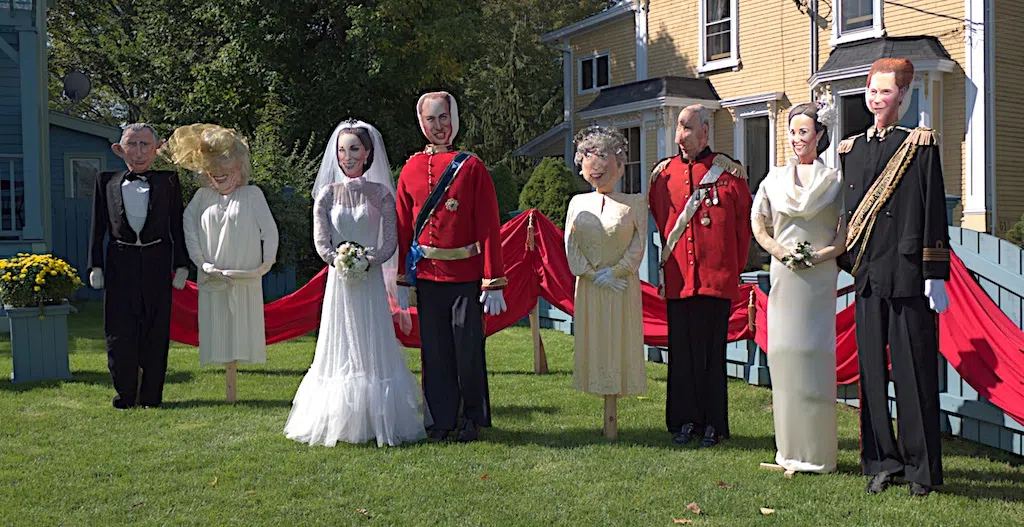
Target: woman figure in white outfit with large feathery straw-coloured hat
{"points": [[233, 240]]}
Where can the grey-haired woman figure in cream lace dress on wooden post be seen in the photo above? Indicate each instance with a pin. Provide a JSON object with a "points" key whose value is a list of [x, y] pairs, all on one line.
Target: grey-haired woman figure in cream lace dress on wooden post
{"points": [[606, 234]]}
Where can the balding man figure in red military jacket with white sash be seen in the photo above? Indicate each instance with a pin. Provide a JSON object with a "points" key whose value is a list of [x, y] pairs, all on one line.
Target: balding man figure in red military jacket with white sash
{"points": [[702, 203]]}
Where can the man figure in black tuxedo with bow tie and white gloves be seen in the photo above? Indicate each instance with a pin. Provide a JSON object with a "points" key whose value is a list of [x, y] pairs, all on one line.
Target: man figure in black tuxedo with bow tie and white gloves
{"points": [[139, 211]]}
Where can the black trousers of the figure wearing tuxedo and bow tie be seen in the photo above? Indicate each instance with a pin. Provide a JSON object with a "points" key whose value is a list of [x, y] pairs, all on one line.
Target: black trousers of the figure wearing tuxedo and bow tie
{"points": [[138, 322]]}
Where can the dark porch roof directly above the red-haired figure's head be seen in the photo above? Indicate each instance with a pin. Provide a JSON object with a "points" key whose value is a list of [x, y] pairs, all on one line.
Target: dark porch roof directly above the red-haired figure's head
{"points": [[856, 59]]}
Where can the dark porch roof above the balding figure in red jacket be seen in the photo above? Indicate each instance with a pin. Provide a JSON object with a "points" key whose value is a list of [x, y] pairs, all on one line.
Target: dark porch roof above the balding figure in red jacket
{"points": [[661, 92]]}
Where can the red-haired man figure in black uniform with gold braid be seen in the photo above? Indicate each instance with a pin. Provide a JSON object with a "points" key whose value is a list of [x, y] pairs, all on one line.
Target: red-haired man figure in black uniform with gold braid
{"points": [[899, 253]]}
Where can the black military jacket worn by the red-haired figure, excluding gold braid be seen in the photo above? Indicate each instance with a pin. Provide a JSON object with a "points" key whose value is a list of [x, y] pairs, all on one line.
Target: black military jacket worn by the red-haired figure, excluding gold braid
{"points": [[911, 239]]}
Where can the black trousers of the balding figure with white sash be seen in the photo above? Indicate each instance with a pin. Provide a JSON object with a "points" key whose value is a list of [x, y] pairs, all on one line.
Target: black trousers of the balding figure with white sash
{"points": [[699, 330]]}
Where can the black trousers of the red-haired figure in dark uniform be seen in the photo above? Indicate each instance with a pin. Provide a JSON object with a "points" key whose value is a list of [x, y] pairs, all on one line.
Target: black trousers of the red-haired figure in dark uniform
{"points": [[910, 328]]}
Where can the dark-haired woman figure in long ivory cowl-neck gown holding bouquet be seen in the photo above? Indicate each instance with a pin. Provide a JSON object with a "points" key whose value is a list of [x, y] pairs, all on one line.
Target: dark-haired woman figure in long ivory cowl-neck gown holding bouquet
{"points": [[801, 203]]}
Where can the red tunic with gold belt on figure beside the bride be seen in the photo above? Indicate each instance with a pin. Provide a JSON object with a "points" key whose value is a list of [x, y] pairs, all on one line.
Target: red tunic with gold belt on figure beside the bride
{"points": [[466, 214]]}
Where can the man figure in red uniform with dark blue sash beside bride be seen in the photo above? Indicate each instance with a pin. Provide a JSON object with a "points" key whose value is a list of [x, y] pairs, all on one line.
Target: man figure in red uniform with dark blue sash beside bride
{"points": [[451, 252]]}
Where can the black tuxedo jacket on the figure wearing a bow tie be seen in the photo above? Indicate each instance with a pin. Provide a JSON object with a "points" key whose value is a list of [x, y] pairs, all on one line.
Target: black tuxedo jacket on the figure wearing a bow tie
{"points": [[163, 221]]}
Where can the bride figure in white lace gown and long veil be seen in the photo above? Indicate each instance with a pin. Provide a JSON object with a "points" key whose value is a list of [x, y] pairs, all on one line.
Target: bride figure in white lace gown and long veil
{"points": [[359, 387]]}
